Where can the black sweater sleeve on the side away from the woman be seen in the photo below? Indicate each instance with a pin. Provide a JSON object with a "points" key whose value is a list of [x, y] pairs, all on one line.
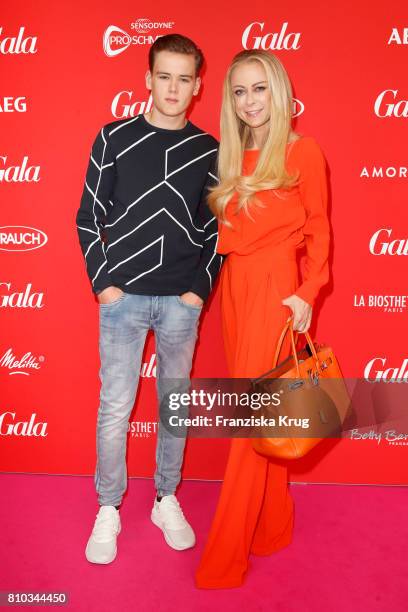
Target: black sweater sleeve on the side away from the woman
{"points": [[92, 212]]}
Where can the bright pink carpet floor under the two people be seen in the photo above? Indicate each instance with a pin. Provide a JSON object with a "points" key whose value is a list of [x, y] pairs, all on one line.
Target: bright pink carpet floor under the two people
{"points": [[348, 552]]}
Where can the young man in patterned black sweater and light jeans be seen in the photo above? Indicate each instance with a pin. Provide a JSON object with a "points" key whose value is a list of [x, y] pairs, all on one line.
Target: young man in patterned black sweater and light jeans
{"points": [[149, 242]]}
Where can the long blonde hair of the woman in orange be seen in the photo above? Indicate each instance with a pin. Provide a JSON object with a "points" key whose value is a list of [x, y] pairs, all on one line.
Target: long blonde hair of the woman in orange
{"points": [[270, 171]]}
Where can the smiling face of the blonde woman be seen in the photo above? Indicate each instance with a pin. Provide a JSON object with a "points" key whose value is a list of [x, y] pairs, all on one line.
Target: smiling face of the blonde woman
{"points": [[251, 93]]}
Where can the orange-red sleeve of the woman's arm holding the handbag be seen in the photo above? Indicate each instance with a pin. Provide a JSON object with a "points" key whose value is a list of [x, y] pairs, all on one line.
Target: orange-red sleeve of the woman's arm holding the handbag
{"points": [[316, 230]]}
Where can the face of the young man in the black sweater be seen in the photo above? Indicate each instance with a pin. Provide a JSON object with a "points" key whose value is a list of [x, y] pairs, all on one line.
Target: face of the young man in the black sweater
{"points": [[173, 82]]}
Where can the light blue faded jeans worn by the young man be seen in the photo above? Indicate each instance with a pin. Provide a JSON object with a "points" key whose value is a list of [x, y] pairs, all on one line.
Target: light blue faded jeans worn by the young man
{"points": [[123, 328]]}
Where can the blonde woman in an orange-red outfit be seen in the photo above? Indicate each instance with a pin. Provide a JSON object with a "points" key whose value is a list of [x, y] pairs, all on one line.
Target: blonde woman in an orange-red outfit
{"points": [[271, 200]]}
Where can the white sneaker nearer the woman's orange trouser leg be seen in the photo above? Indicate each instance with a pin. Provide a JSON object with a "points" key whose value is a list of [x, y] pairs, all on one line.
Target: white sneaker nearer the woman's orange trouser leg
{"points": [[169, 517]]}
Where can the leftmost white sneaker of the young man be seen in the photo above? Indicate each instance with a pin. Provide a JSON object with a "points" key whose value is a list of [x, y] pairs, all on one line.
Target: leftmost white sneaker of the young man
{"points": [[101, 547]]}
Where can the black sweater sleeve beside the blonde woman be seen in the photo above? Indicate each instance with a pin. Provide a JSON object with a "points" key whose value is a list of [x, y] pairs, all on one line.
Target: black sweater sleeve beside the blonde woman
{"points": [[210, 261]]}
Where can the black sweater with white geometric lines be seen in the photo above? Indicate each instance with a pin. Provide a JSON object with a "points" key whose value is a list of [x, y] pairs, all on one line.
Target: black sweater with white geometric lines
{"points": [[143, 223]]}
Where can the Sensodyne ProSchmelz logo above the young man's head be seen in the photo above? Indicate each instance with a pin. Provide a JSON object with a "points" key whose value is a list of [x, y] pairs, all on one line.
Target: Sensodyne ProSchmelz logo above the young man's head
{"points": [[116, 40]]}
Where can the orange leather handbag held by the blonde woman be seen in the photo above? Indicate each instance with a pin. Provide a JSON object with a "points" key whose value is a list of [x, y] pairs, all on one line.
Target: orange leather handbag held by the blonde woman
{"points": [[311, 389]]}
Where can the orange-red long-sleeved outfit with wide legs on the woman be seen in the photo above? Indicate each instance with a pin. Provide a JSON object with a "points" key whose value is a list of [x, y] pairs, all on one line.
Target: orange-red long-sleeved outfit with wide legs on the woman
{"points": [[255, 510]]}
